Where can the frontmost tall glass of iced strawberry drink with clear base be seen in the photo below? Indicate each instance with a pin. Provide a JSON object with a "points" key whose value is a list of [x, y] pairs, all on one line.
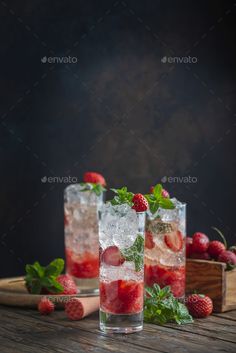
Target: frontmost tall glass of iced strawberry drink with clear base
{"points": [[121, 237]]}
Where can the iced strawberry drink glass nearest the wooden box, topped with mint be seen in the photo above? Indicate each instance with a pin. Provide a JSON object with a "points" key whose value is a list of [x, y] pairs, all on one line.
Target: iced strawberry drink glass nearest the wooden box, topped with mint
{"points": [[165, 242]]}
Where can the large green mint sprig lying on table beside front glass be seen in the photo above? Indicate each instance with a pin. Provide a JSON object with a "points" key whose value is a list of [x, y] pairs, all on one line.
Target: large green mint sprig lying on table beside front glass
{"points": [[161, 307]]}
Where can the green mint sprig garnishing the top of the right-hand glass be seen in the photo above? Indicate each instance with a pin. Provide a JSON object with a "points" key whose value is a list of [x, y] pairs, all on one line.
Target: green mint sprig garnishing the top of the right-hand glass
{"points": [[156, 200]]}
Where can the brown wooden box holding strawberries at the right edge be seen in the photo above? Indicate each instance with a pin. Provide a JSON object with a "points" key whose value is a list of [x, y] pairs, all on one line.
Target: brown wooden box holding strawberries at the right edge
{"points": [[211, 278]]}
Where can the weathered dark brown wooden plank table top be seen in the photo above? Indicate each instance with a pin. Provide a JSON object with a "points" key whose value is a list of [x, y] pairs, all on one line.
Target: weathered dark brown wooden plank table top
{"points": [[26, 331]]}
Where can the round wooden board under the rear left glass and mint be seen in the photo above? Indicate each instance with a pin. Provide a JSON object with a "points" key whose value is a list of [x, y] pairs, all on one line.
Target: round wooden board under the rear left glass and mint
{"points": [[14, 293]]}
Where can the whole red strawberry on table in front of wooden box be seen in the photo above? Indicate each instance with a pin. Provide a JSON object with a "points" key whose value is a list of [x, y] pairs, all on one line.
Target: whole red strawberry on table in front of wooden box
{"points": [[199, 305]]}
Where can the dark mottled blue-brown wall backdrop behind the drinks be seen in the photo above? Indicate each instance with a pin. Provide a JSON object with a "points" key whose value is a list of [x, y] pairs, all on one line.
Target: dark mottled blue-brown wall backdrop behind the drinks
{"points": [[119, 109]]}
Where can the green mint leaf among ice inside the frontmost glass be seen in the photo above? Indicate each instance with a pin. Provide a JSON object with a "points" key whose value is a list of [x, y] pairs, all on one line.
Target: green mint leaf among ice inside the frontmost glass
{"points": [[135, 253]]}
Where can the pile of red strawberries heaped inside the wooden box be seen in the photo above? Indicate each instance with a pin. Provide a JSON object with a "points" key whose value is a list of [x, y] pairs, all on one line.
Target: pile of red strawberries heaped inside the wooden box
{"points": [[201, 248]]}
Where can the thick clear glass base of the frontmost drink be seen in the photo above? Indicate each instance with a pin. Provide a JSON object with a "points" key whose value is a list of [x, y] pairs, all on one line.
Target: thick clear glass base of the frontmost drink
{"points": [[117, 323]]}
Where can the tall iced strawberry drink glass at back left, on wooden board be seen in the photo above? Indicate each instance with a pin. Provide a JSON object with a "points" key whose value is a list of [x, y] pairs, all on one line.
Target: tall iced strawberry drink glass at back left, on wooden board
{"points": [[81, 234]]}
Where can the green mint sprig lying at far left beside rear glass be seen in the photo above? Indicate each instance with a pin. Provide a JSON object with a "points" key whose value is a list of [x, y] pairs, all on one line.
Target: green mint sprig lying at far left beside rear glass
{"points": [[39, 279]]}
